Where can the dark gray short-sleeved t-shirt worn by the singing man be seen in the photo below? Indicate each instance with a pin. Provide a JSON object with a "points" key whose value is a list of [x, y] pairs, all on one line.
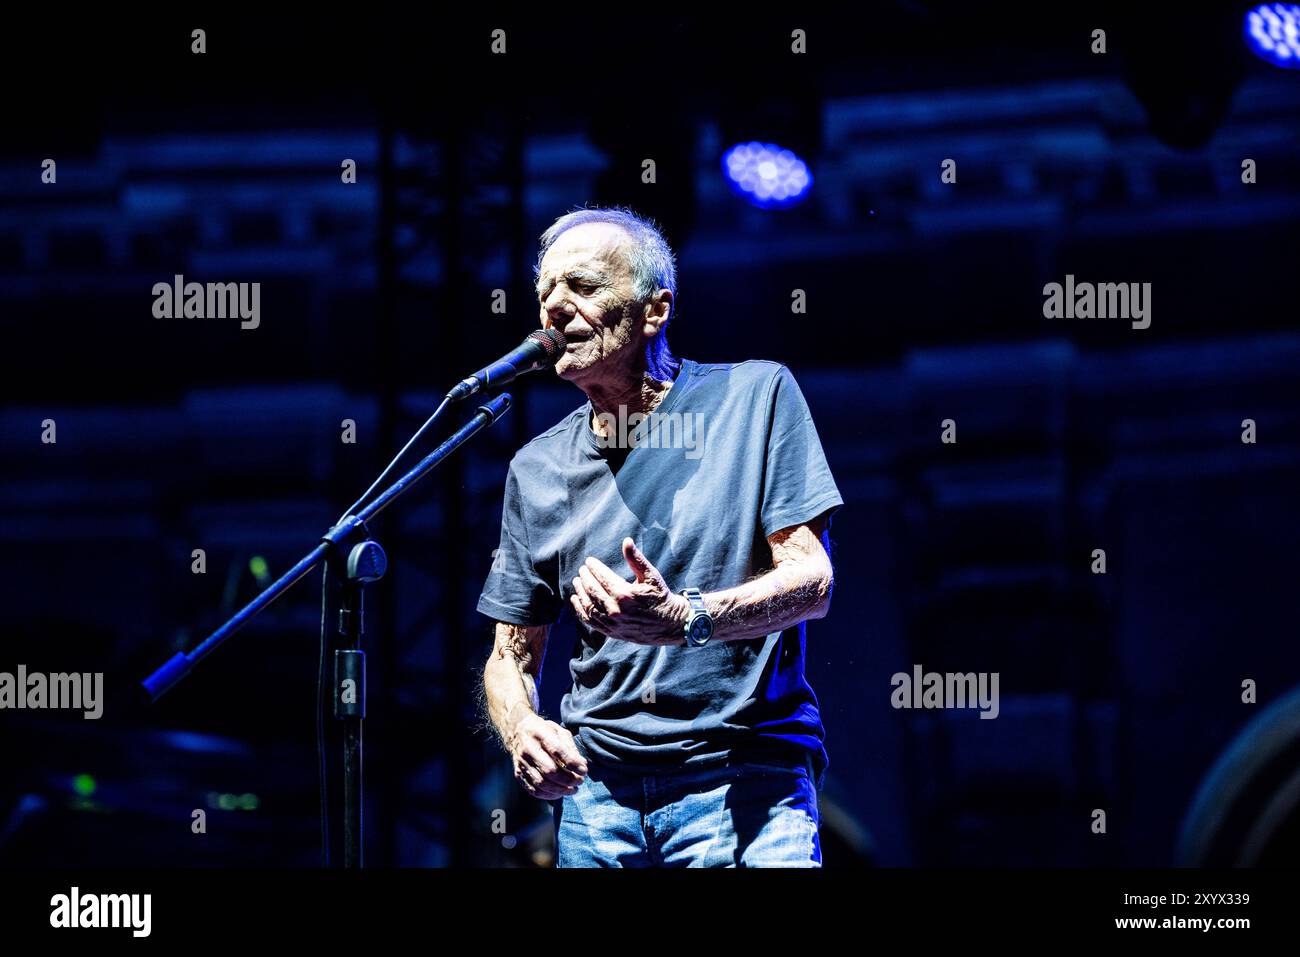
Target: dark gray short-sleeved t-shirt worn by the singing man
{"points": [[729, 457]]}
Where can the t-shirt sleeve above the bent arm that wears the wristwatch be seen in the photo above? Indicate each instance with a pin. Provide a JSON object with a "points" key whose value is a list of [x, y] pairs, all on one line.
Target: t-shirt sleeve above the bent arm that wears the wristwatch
{"points": [[798, 483]]}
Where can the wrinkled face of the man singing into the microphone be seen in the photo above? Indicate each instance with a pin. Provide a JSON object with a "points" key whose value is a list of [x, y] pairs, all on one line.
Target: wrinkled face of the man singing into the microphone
{"points": [[586, 292]]}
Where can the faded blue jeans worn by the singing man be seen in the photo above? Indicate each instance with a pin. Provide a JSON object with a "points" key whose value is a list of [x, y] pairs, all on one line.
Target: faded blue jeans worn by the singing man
{"points": [[742, 816]]}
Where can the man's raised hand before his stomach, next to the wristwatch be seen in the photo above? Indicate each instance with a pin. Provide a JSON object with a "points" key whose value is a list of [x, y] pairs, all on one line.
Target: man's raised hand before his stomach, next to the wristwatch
{"points": [[644, 612]]}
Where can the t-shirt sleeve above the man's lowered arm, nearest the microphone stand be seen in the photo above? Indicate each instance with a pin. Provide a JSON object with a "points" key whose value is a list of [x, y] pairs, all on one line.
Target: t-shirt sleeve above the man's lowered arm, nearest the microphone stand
{"points": [[518, 591]]}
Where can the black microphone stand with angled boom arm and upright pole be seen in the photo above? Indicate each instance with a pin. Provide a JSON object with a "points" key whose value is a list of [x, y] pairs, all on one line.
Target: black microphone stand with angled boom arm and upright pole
{"points": [[362, 562]]}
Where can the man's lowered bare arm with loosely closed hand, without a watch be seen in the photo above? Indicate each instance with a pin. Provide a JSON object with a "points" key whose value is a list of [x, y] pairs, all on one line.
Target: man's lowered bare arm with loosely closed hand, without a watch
{"points": [[547, 760]]}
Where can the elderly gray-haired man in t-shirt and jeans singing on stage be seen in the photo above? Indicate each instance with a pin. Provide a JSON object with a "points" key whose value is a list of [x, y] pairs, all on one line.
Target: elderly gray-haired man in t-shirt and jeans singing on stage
{"points": [[690, 735]]}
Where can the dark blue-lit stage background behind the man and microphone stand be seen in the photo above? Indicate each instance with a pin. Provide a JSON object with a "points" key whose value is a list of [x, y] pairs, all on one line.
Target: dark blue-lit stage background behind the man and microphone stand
{"points": [[925, 302]]}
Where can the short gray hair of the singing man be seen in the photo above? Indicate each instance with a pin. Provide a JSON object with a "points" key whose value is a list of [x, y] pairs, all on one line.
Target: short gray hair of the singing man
{"points": [[653, 269]]}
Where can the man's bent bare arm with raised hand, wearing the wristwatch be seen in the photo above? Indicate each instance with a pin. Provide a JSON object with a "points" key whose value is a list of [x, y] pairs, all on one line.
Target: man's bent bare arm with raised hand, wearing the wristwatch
{"points": [[648, 613]]}
